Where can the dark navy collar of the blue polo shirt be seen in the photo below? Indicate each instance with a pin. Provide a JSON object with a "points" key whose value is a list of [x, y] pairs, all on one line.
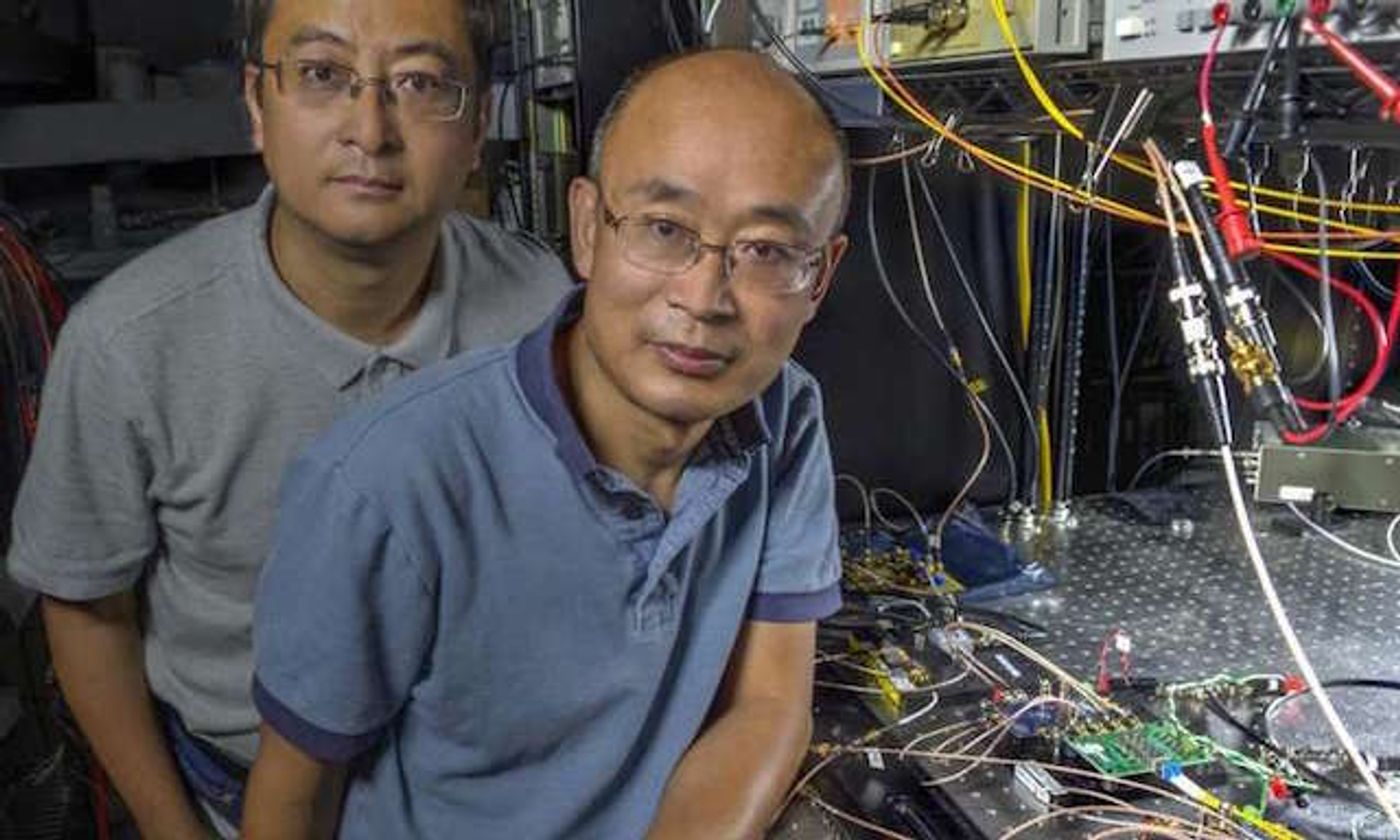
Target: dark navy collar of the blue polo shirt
{"points": [[734, 435]]}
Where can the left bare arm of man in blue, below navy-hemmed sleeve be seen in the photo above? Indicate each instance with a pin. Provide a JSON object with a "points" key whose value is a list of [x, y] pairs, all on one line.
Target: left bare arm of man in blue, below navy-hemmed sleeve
{"points": [[290, 794]]}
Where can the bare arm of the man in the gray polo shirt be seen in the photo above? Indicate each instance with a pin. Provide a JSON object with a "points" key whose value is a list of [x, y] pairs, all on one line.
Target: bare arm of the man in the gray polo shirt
{"points": [[97, 654]]}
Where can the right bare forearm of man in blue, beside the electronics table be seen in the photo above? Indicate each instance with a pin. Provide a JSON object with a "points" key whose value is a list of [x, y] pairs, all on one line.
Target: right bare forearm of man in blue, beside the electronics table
{"points": [[733, 779]]}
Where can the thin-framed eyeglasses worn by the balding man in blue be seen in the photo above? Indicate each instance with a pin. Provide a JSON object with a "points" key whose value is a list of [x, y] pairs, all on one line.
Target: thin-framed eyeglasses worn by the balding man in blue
{"points": [[659, 244]]}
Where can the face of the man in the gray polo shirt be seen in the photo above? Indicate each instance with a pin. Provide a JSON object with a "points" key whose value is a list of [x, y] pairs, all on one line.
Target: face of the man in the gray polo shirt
{"points": [[360, 171]]}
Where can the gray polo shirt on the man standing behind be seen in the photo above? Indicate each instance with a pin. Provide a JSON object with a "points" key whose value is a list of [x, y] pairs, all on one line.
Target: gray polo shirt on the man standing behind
{"points": [[178, 391]]}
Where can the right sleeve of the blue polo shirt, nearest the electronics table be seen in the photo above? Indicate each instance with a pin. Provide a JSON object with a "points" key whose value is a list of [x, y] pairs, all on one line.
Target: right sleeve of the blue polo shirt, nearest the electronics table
{"points": [[800, 572]]}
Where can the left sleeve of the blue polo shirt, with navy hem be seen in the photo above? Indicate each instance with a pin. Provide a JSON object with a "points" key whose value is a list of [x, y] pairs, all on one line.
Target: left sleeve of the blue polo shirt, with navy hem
{"points": [[342, 622]]}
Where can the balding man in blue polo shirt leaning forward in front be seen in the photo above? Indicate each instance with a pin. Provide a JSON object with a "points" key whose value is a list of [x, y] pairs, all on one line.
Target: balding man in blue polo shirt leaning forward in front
{"points": [[569, 587]]}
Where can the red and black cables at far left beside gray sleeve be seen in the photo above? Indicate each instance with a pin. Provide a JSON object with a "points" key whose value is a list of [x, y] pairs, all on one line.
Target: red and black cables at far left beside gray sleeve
{"points": [[31, 310]]}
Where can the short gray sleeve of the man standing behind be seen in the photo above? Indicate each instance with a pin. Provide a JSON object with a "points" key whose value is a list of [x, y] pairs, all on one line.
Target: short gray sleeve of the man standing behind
{"points": [[85, 527]]}
